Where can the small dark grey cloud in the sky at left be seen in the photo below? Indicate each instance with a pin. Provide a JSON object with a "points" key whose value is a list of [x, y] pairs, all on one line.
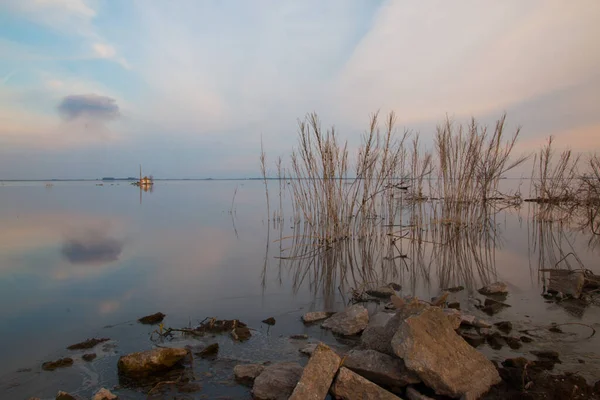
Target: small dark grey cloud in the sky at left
{"points": [[89, 106]]}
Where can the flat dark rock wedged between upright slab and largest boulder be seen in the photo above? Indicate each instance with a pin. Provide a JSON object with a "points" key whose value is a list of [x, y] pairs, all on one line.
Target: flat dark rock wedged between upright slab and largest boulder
{"points": [[380, 368]]}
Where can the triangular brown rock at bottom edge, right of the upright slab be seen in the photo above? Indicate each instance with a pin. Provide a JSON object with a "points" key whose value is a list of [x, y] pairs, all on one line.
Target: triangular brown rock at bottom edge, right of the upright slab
{"points": [[351, 386]]}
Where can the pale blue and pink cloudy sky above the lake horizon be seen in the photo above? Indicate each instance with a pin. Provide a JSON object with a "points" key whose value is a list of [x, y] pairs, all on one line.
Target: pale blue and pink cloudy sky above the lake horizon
{"points": [[187, 88]]}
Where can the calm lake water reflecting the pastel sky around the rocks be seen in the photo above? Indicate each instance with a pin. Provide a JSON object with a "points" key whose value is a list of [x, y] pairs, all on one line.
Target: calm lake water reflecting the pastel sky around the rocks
{"points": [[79, 260]]}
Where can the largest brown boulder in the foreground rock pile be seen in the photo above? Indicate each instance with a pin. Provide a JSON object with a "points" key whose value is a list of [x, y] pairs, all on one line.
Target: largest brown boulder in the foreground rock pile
{"points": [[442, 359]]}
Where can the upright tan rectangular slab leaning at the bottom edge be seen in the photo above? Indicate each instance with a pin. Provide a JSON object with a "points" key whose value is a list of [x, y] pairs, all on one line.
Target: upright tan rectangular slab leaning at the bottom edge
{"points": [[317, 375]]}
